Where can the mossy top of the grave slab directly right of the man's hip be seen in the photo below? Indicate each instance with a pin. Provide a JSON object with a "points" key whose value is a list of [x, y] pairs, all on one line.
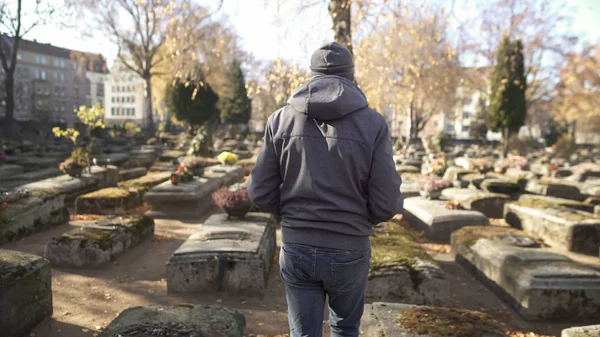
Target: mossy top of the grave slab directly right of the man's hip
{"points": [[395, 247]]}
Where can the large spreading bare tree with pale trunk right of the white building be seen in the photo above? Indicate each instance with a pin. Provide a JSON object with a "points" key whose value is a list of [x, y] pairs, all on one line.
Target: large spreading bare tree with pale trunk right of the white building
{"points": [[141, 28]]}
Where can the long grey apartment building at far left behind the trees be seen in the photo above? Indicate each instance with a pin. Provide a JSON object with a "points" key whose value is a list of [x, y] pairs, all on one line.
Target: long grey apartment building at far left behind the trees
{"points": [[50, 82]]}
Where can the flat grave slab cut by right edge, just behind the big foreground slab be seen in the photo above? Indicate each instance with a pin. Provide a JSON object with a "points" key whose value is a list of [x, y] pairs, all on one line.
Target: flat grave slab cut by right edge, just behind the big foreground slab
{"points": [[560, 227]]}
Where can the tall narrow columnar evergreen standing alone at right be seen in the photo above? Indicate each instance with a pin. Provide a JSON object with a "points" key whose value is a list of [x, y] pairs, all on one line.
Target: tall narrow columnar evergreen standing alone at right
{"points": [[508, 109]]}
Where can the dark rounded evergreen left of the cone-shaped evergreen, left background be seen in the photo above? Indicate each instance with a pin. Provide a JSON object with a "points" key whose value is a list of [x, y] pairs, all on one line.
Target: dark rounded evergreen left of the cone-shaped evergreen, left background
{"points": [[193, 103]]}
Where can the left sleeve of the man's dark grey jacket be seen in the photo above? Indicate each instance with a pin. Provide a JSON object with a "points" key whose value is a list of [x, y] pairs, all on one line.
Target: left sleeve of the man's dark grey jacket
{"points": [[265, 180]]}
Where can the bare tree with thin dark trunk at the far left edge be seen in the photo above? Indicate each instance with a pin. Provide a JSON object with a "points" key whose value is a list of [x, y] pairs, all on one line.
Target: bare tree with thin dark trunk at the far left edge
{"points": [[15, 23]]}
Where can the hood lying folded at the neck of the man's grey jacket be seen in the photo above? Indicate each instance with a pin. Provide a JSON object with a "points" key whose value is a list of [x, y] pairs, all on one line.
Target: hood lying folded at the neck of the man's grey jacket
{"points": [[328, 98]]}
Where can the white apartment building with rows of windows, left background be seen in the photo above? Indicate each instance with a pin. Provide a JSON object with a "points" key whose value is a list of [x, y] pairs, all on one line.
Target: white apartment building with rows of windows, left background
{"points": [[124, 97]]}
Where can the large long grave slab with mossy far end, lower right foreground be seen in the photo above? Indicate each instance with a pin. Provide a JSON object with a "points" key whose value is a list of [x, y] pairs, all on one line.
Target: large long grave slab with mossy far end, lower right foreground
{"points": [[540, 284]]}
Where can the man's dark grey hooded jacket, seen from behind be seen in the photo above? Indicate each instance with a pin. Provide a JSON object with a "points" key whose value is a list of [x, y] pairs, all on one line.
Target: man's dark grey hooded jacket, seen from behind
{"points": [[326, 167]]}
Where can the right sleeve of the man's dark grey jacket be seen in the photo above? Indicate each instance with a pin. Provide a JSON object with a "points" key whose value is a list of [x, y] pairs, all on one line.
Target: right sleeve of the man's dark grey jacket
{"points": [[385, 199]]}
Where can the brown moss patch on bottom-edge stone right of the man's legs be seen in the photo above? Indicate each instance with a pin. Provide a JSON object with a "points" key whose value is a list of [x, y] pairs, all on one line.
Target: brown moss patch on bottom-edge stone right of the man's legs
{"points": [[447, 322]]}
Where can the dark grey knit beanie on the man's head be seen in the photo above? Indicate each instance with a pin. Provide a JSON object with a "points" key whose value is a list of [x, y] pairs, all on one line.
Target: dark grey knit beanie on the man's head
{"points": [[332, 59]]}
